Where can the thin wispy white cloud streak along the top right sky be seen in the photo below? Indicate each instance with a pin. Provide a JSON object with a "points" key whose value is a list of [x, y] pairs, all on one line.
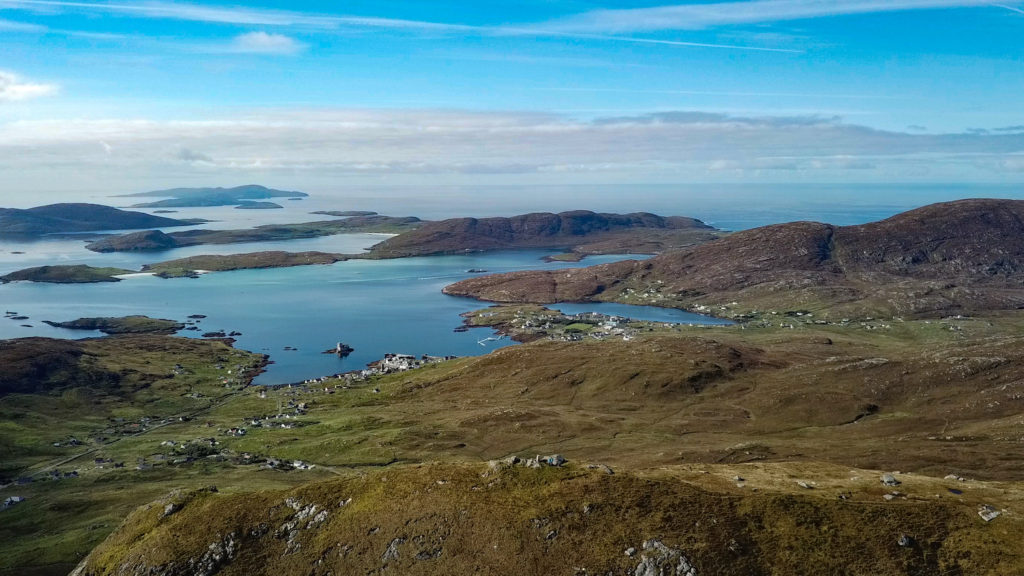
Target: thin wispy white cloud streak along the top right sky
{"points": [[696, 17]]}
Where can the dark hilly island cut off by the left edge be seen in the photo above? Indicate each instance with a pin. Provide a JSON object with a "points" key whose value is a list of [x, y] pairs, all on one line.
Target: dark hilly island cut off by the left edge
{"points": [[65, 219]]}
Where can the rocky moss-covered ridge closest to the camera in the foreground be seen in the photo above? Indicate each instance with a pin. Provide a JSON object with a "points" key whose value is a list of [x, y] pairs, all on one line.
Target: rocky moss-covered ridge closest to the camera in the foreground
{"points": [[453, 520]]}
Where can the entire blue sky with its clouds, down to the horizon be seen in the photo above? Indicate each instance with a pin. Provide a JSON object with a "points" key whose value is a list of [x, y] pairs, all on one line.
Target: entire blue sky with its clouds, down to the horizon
{"points": [[129, 95]]}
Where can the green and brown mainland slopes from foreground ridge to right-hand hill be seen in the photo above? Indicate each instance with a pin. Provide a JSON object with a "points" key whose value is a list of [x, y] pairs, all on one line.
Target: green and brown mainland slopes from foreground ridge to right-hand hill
{"points": [[757, 448]]}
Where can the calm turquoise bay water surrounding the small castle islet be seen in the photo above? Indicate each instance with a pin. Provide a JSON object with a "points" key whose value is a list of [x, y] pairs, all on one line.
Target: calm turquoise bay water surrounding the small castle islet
{"points": [[376, 307]]}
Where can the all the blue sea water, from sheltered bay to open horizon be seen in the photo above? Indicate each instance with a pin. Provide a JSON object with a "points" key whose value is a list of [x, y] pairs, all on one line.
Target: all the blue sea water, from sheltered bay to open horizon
{"points": [[380, 307]]}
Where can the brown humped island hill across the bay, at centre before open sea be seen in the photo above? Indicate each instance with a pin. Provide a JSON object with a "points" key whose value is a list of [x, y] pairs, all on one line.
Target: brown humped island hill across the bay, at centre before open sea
{"points": [[584, 231]]}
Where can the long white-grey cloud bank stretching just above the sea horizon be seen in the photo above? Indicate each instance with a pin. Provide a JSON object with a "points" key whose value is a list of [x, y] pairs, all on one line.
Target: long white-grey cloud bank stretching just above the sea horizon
{"points": [[419, 146]]}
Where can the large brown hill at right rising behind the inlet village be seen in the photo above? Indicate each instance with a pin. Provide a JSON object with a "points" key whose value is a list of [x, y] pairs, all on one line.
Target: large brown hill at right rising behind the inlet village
{"points": [[956, 258]]}
